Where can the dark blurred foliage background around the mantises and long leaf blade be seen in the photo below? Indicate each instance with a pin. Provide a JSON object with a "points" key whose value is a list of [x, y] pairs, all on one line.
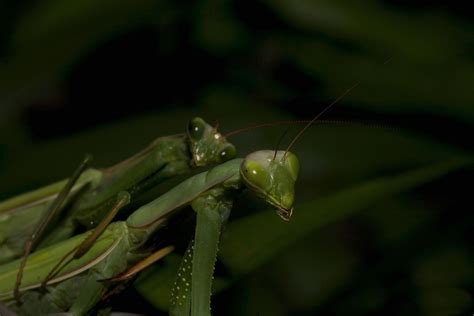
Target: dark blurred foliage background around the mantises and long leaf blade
{"points": [[106, 77]]}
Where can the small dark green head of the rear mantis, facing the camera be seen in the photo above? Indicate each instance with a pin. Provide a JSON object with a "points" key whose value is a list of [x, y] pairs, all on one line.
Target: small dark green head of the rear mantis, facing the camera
{"points": [[207, 145]]}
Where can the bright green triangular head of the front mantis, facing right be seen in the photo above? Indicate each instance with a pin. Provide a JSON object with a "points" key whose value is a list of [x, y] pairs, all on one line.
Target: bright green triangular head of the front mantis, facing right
{"points": [[273, 178]]}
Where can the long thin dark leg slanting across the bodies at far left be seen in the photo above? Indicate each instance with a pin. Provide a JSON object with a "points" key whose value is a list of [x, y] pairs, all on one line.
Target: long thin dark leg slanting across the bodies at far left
{"points": [[55, 207]]}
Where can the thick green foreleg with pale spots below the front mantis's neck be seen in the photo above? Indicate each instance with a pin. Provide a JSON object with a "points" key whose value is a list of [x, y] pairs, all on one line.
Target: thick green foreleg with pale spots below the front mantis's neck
{"points": [[192, 292]]}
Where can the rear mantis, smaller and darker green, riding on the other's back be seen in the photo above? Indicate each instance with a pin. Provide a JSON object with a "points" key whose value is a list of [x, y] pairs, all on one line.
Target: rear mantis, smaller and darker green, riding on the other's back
{"points": [[95, 190]]}
